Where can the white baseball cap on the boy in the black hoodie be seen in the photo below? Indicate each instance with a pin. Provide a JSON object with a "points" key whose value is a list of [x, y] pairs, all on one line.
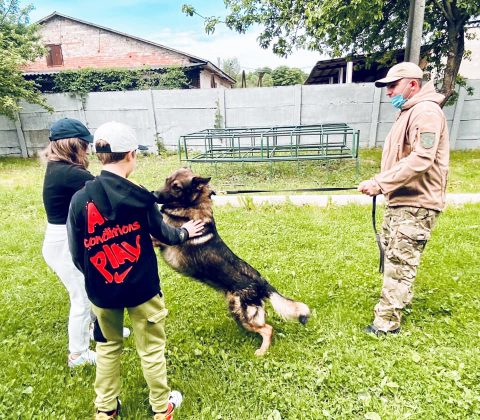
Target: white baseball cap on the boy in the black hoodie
{"points": [[120, 138]]}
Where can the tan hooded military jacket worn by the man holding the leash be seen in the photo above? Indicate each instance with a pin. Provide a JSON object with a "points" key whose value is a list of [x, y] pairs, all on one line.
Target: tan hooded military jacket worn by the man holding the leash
{"points": [[416, 154]]}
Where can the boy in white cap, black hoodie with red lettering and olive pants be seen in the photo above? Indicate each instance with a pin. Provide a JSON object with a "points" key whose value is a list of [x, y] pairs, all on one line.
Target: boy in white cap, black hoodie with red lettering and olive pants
{"points": [[109, 226]]}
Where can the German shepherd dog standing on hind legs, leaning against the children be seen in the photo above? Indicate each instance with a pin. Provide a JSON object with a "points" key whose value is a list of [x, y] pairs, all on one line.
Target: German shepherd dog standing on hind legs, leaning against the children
{"points": [[208, 259]]}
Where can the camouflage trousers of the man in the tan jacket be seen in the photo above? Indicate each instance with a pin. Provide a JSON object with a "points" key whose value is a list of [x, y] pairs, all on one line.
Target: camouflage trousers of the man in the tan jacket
{"points": [[405, 232]]}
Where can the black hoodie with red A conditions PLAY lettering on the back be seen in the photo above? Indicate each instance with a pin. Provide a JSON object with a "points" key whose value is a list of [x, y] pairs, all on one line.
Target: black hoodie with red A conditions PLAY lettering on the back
{"points": [[109, 225]]}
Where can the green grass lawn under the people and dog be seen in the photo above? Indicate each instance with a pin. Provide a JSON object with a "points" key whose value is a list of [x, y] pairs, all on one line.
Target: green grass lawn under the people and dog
{"points": [[326, 257]]}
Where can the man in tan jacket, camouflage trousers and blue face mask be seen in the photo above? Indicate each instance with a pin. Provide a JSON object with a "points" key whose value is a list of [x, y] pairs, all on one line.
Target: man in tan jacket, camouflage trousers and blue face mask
{"points": [[413, 180]]}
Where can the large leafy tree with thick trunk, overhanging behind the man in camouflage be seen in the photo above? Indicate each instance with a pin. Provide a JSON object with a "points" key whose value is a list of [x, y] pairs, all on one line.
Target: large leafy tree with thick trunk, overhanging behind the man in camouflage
{"points": [[375, 28]]}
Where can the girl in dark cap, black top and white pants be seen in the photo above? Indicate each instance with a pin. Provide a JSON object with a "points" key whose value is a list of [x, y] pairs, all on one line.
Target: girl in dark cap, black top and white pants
{"points": [[67, 161]]}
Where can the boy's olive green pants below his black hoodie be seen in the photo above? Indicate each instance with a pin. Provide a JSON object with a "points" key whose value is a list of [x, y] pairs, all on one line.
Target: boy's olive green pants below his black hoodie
{"points": [[148, 323]]}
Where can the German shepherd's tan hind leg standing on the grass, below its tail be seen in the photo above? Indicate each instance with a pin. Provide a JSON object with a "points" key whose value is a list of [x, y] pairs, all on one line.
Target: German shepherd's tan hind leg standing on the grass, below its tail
{"points": [[252, 318]]}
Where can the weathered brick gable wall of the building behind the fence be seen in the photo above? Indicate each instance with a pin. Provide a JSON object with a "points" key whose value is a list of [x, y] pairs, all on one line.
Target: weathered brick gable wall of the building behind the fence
{"points": [[88, 46]]}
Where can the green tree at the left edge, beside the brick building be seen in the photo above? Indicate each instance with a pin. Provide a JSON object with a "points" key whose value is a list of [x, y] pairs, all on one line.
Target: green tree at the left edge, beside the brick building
{"points": [[19, 44]]}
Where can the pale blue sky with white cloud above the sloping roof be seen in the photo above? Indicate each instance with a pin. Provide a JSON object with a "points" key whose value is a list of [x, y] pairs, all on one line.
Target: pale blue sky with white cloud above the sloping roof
{"points": [[162, 21]]}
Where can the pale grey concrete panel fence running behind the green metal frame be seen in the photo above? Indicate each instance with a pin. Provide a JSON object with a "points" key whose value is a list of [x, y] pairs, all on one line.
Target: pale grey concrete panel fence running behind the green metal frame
{"points": [[168, 114]]}
